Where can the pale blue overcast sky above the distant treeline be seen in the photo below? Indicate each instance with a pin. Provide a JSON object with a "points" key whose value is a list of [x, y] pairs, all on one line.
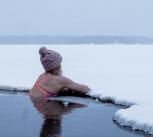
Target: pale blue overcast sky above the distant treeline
{"points": [[76, 17]]}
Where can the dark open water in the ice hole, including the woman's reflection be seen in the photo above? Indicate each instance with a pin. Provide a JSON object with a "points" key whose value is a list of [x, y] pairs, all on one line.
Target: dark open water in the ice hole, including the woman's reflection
{"points": [[22, 117]]}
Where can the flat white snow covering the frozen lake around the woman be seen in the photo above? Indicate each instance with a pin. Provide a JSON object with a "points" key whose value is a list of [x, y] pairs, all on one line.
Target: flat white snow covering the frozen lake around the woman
{"points": [[121, 73]]}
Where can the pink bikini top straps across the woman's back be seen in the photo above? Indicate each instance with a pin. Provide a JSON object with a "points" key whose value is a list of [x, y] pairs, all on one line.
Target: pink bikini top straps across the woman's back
{"points": [[46, 93]]}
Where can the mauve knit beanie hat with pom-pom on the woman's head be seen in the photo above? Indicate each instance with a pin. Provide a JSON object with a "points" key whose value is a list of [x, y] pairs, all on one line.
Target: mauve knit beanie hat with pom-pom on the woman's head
{"points": [[49, 59]]}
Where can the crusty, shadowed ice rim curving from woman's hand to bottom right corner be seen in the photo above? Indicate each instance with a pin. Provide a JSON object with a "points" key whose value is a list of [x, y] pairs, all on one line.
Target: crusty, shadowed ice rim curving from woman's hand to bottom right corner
{"points": [[119, 117]]}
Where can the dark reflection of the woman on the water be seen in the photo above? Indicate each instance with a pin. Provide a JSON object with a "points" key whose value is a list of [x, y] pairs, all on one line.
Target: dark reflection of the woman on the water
{"points": [[53, 111]]}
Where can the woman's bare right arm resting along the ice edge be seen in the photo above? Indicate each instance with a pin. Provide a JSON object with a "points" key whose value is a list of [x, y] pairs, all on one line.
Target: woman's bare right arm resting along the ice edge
{"points": [[67, 83]]}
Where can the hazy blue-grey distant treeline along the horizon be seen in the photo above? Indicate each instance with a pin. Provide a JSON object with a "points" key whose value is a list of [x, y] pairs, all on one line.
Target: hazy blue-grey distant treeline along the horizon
{"points": [[27, 39]]}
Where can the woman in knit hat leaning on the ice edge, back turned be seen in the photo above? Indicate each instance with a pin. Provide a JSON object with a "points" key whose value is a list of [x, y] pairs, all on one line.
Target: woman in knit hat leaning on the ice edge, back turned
{"points": [[51, 82]]}
